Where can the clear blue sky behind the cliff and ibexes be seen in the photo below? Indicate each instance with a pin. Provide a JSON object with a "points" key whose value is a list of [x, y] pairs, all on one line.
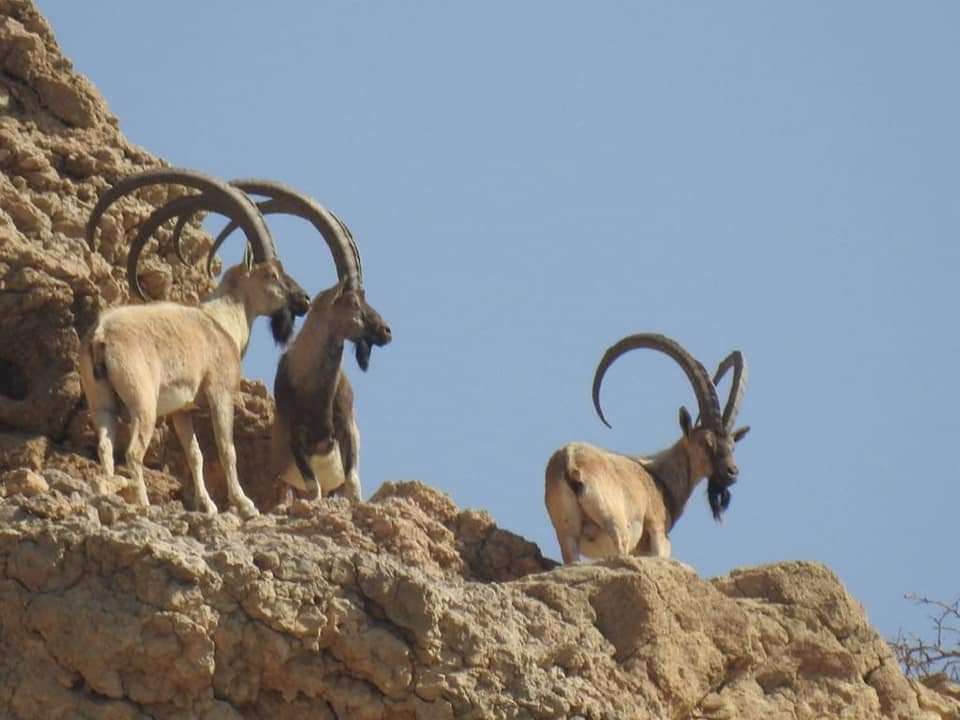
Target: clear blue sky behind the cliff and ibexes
{"points": [[528, 182]]}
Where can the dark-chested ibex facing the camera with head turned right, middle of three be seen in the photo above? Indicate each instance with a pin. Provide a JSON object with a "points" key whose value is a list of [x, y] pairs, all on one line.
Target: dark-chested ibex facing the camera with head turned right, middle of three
{"points": [[315, 439]]}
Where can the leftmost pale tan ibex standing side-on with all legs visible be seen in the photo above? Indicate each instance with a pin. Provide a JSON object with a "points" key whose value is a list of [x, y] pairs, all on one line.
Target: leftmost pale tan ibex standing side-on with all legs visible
{"points": [[156, 359]]}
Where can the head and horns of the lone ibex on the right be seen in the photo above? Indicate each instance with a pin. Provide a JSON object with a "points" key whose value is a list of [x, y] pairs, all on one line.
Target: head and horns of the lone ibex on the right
{"points": [[712, 438]]}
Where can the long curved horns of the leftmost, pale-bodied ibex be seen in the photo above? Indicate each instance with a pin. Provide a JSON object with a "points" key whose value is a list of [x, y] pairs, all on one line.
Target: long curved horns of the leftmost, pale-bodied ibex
{"points": [[215, 196]]}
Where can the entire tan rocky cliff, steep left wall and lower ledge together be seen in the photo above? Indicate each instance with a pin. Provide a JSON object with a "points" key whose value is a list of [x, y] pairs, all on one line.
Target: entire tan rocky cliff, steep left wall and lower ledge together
{"points": [[403, 607]]}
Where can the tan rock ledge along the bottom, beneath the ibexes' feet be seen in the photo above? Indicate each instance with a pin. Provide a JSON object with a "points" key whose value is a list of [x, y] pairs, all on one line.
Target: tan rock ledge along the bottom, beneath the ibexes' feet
{"points": [[406, 607]]}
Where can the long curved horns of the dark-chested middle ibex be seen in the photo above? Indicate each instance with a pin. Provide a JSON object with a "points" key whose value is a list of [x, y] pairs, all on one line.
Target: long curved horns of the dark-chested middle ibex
{"points": [[286, 200]]}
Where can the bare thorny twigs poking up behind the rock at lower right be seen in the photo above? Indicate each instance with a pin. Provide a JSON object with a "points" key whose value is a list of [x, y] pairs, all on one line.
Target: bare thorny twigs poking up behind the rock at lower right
{"points": [[920, 657]]}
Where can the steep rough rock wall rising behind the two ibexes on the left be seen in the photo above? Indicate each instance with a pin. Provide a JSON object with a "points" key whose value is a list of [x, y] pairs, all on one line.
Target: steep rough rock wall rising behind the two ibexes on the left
{"points": [[59, 149]]}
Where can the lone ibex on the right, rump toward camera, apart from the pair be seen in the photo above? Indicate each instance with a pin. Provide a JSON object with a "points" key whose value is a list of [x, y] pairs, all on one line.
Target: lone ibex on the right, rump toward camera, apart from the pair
{"points": [[603, 503]]}
